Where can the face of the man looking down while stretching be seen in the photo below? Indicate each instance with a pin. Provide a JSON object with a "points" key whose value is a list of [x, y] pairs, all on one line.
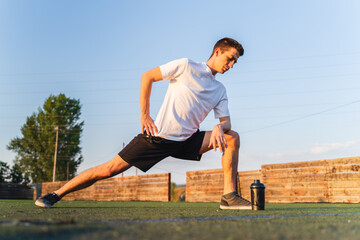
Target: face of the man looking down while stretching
{"points": [[225, 60]]}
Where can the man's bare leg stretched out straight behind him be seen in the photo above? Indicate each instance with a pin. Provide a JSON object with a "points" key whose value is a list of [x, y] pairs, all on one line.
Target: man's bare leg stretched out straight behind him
{"points": [[88, 177]]}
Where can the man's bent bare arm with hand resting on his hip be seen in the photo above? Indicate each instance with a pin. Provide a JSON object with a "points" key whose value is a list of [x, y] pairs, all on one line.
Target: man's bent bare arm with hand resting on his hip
{"points": [[147, 80]]}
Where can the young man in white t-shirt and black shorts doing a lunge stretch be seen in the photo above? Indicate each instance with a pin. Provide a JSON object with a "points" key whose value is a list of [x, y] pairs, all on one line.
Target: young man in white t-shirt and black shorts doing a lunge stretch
{"points": [[193, 92]]}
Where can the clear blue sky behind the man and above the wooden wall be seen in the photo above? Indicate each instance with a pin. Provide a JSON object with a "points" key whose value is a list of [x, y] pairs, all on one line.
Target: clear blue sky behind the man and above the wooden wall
{"points": [[294, 95]]}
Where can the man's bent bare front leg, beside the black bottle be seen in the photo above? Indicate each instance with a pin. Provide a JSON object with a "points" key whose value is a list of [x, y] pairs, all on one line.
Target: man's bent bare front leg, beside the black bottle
{"points": [[230, 158]]}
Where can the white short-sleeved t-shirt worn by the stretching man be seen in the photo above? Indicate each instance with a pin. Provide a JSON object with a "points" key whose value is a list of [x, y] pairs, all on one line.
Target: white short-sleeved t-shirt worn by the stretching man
{"points": [[192, 93]]}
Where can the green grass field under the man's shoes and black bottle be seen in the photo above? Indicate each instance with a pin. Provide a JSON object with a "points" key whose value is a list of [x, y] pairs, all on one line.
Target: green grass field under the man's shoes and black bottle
{"points": [[21, 219]]}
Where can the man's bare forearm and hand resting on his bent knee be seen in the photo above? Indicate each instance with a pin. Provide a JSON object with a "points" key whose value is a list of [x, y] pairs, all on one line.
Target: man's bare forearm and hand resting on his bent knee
{"points": [[217, 137]]}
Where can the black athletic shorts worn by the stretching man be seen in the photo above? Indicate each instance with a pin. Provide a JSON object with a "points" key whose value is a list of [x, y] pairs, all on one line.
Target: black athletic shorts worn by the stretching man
{"points": [[144, 151]]}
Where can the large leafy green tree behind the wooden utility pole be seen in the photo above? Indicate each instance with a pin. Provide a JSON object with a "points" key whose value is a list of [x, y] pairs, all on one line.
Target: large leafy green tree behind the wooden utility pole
{"points": [[35, 149]]}
